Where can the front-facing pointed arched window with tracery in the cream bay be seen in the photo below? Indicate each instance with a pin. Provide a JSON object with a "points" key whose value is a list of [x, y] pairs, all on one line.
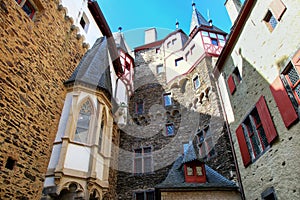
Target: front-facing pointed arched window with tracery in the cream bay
{"points": [[83, 122]]}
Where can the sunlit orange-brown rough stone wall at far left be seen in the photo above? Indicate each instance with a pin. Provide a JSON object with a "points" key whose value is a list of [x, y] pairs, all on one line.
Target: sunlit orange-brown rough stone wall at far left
{"points": [[36, 57]]}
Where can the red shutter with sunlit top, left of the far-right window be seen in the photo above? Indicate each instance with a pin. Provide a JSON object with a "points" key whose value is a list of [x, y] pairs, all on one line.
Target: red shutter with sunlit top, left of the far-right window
{"points": [[283, 102]]}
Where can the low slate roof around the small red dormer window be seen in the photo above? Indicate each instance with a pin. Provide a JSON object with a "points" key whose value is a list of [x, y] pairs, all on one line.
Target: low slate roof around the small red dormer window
{"points": [[175, 179]]}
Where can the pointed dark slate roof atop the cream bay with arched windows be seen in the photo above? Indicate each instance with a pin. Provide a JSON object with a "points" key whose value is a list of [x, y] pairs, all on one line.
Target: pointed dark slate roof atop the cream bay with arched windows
{"points": [[93, 68]]}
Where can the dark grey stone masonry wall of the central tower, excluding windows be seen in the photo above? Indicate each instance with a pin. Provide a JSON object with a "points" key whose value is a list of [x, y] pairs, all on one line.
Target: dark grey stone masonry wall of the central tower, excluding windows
{"points": [[187, 113]]}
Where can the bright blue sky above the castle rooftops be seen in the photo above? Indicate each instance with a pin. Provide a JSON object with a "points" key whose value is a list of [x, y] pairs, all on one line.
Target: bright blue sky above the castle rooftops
{"points": [[134, 16]]}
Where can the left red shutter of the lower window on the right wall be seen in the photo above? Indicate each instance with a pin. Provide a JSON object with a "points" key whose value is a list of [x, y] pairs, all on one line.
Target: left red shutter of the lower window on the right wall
{"points": [[243, 146]]}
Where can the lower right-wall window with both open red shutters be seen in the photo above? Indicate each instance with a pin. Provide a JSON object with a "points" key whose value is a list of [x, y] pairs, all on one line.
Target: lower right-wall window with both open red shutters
{"points": [[256, 132]]}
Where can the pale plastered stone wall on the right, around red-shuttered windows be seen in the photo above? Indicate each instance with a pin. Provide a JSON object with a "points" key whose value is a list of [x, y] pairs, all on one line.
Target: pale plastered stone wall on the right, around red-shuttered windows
{"points": [[279, 165]]}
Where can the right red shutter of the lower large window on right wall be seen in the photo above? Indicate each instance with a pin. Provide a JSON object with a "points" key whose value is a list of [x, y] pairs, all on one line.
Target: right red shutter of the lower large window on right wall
{"points": [[266, 119]]}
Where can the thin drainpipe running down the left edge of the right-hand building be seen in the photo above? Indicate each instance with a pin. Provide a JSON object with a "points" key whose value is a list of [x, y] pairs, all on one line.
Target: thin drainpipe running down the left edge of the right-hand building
{"points": [[231, 144]]}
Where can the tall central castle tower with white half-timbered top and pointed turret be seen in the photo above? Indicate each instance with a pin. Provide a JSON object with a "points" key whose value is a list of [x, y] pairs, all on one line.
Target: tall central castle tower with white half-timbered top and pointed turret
{"points": [[174, 101]]}
